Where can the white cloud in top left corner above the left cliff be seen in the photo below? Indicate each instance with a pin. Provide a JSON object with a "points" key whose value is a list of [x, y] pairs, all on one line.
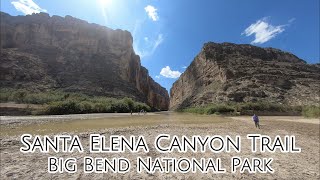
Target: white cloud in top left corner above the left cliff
{"points": [[27, 6]]}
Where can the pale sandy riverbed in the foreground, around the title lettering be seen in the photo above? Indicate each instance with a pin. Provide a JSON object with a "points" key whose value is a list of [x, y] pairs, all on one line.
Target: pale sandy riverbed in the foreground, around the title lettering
{"points": [[304, 165]]}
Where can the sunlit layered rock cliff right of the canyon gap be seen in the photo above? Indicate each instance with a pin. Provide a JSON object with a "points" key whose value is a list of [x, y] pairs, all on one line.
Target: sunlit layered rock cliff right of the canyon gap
{"points": [[245, 73]]}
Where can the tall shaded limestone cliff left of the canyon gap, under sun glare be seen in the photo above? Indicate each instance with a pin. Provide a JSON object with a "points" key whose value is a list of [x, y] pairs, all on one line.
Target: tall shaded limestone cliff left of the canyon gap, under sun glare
{"points": [[42, 52]]}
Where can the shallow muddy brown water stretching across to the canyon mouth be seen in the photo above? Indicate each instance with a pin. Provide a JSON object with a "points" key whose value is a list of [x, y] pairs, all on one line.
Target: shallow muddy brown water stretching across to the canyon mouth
{"points": [[85, 123]]}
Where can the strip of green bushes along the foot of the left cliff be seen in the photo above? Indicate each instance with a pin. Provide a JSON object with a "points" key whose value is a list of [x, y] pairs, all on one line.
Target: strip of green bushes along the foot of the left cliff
{"points": [[58, 102]]}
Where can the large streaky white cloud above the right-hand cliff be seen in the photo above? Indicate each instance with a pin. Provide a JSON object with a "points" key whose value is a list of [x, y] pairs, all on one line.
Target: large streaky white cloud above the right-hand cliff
{"points": [[263, 31]]}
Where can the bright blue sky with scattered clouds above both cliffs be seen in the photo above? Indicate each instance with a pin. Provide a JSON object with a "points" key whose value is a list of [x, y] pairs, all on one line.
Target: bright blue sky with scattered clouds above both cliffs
{"points": [[168, 34]]}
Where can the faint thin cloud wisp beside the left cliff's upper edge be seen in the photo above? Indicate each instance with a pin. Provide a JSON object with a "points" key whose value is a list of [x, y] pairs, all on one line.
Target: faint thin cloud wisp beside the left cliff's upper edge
{"points": [[150, 46]]}
